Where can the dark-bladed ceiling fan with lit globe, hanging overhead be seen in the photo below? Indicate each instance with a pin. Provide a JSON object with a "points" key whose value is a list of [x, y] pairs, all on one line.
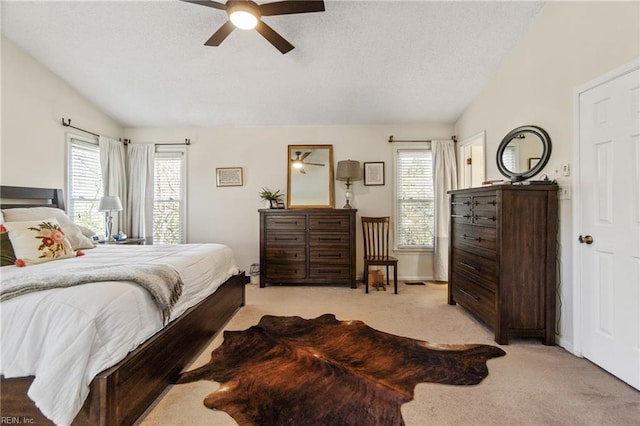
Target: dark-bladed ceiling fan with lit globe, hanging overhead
{"points": [[246, 14]]}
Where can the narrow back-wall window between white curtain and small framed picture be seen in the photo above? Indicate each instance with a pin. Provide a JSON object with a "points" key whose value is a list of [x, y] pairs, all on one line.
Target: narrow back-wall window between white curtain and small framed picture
{"points": [[169, 204]]}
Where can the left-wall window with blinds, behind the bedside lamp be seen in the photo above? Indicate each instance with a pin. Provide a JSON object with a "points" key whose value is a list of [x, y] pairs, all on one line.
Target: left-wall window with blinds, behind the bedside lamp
{"points": [[84, 184]]}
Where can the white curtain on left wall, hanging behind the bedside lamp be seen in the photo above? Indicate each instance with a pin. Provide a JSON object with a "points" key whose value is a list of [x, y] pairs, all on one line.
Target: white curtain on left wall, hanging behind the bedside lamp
{"points": [[112, 161]]}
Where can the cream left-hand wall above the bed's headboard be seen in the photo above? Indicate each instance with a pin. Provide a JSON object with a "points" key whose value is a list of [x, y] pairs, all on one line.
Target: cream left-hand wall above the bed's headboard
{"points": [[34, 101]]}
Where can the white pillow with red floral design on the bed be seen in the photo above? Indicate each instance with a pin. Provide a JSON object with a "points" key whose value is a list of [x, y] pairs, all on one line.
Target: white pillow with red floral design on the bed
{"points": [[39, 241]]}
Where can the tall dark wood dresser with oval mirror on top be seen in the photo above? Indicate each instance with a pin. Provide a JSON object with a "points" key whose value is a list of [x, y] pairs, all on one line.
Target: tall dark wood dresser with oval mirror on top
{"points": [[502, 258]]}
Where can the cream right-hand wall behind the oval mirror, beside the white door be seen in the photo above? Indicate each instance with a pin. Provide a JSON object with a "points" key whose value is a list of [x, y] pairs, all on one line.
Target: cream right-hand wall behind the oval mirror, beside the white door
{"points": [[569, 44]]}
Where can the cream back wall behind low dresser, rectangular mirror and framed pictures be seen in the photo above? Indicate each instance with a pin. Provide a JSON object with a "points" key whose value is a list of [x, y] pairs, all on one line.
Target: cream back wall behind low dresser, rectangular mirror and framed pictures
{"points": [[229, 214]]}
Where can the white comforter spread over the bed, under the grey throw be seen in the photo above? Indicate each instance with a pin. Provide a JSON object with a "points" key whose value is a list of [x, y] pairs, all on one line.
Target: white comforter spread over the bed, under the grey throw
{"points": [[64, 337]]}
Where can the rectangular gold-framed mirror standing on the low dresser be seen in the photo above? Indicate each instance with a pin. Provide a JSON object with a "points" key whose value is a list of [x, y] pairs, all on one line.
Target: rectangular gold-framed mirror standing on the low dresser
{"points": [[310, 176]]}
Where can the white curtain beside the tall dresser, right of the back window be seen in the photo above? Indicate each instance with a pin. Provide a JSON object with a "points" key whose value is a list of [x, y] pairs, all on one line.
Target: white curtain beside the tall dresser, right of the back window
{"points": [[445, 178]]}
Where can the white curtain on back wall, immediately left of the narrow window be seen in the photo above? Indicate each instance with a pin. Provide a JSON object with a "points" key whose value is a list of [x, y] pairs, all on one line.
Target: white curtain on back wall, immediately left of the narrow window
{"points": [[140, 167]]}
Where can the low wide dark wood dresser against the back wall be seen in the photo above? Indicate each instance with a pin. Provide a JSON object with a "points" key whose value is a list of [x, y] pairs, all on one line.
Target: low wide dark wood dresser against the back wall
{"points": [[308, 246]]}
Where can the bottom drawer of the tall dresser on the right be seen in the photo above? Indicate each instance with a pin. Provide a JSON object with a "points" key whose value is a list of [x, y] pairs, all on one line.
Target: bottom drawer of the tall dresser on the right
{"points": [[479, 300]]}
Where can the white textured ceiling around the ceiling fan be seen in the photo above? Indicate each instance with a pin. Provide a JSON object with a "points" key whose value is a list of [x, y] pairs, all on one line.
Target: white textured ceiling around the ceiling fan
{"points": [[359, 62]]}
